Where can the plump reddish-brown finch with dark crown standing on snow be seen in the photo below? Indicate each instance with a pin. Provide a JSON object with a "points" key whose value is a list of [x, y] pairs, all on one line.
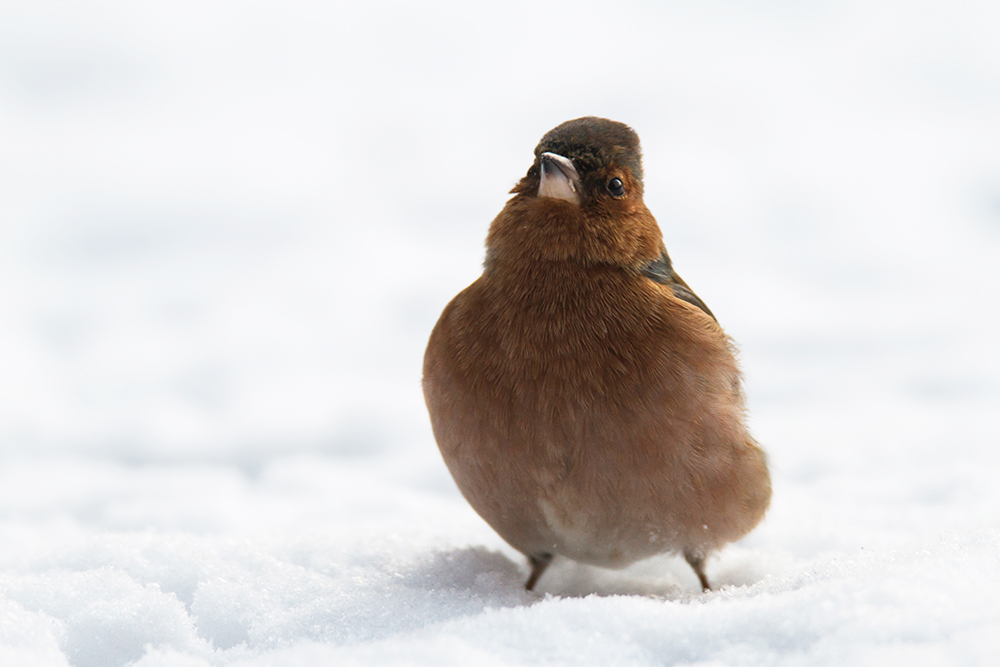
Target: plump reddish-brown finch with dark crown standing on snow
{"points": [[585, 400]]}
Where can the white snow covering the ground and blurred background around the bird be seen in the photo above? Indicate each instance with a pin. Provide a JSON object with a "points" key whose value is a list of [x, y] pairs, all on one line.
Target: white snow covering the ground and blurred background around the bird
{"points": [[227, 228]]}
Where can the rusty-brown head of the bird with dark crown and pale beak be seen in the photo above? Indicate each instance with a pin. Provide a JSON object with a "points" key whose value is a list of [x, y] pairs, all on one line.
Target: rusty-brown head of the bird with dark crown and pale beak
{"points": [[581, 199]]}
